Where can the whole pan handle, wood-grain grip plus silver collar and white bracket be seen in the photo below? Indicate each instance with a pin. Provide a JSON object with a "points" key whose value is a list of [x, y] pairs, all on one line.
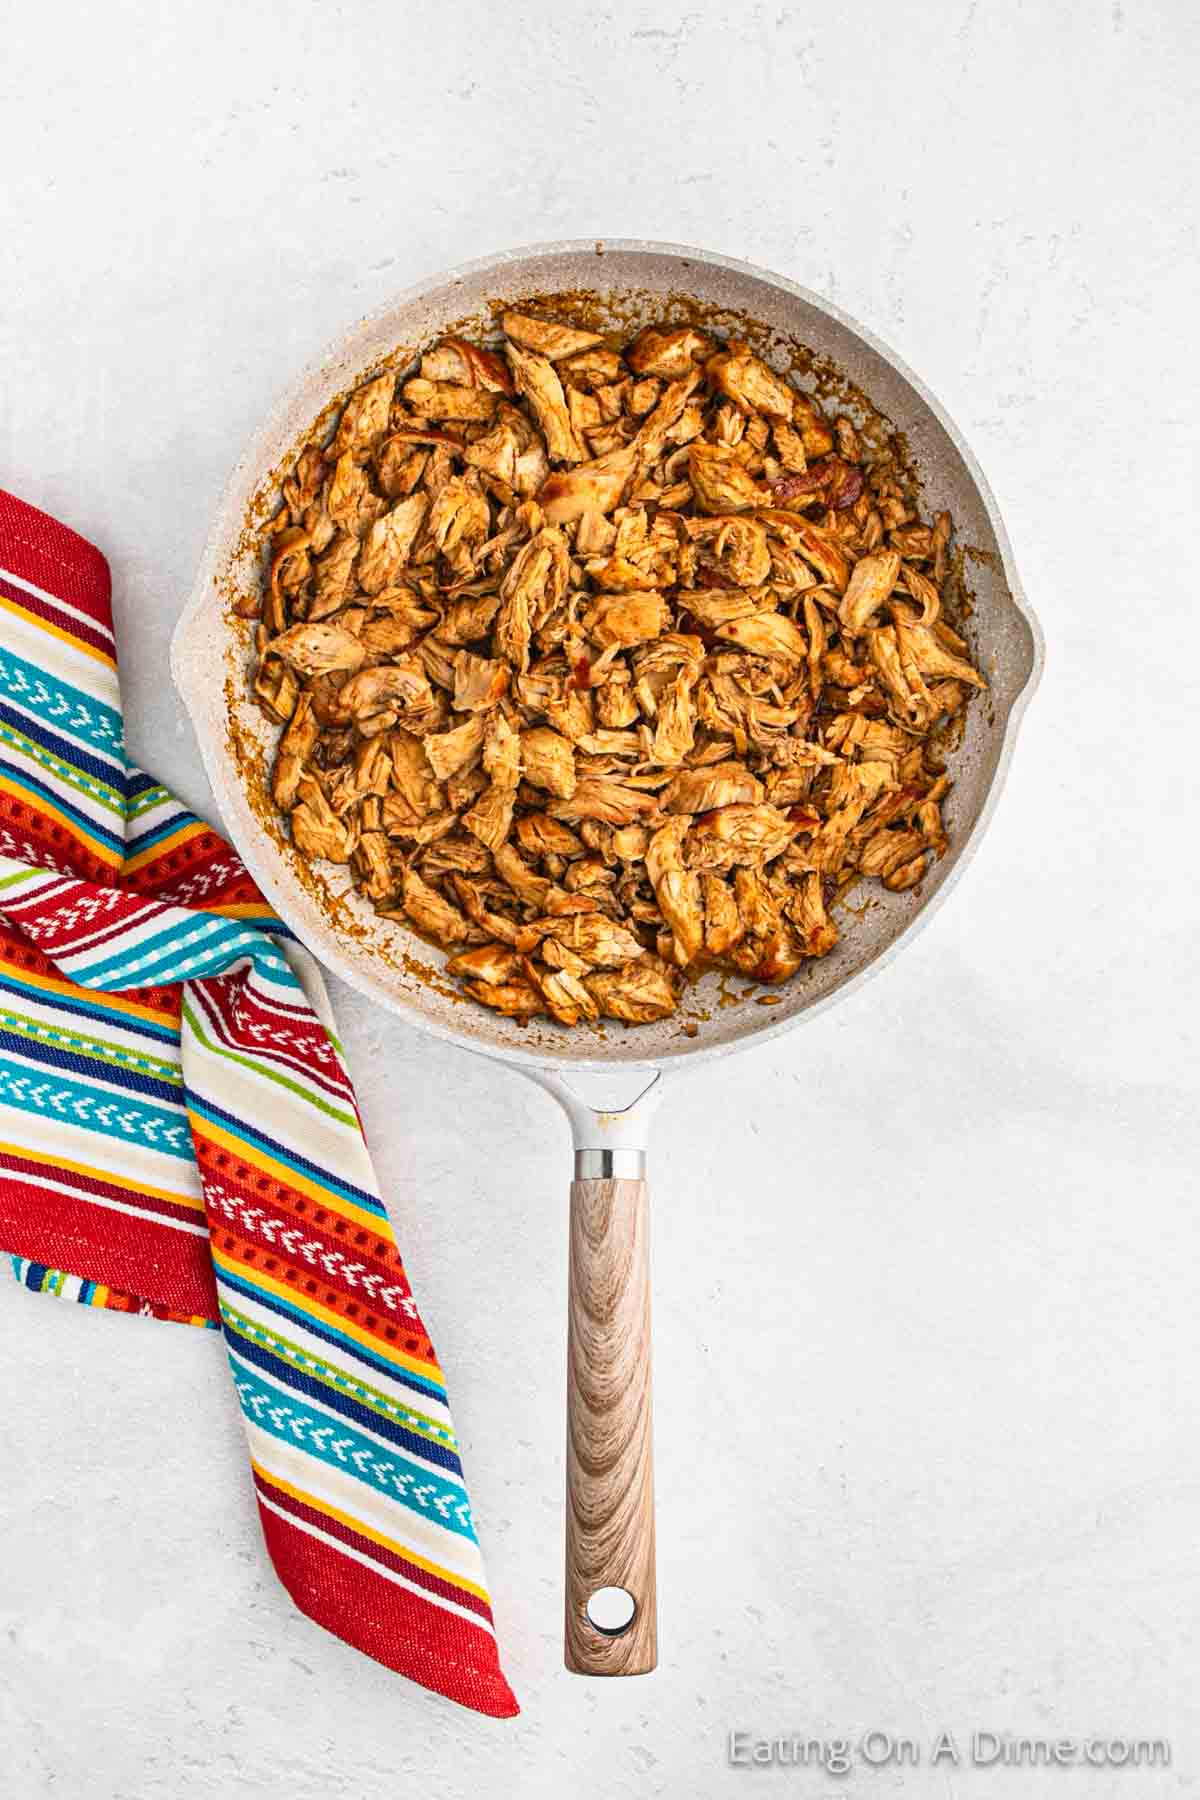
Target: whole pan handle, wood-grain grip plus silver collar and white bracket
{"points": [[611, 1614]]}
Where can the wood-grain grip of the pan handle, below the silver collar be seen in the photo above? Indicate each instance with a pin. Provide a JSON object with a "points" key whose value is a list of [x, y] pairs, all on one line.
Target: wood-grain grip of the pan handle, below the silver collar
{"points": [[611, 1471]]}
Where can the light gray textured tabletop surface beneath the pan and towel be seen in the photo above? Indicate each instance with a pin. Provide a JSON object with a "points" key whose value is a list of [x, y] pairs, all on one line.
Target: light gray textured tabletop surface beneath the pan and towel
{"points": [[926, 1275]]}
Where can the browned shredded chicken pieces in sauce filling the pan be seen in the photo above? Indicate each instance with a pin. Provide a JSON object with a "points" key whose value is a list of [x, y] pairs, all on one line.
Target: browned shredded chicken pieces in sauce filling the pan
{"points": [[602, 665]]}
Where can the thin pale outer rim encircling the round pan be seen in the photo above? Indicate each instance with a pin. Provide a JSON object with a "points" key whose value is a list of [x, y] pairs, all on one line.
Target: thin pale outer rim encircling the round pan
{"points": [[264, 867]]}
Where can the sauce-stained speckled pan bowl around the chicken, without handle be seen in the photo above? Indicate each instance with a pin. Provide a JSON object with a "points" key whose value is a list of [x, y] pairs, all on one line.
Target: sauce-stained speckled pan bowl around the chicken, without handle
{"points": [[632, 283]]}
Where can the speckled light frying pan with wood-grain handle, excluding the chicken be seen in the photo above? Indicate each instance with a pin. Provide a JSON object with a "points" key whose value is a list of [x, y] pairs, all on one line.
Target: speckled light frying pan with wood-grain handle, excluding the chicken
{"points": [[609, 1081]]}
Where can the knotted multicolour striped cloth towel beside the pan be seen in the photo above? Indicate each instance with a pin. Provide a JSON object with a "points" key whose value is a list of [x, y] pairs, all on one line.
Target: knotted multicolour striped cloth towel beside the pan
{"points": [[179, 1137]]}
